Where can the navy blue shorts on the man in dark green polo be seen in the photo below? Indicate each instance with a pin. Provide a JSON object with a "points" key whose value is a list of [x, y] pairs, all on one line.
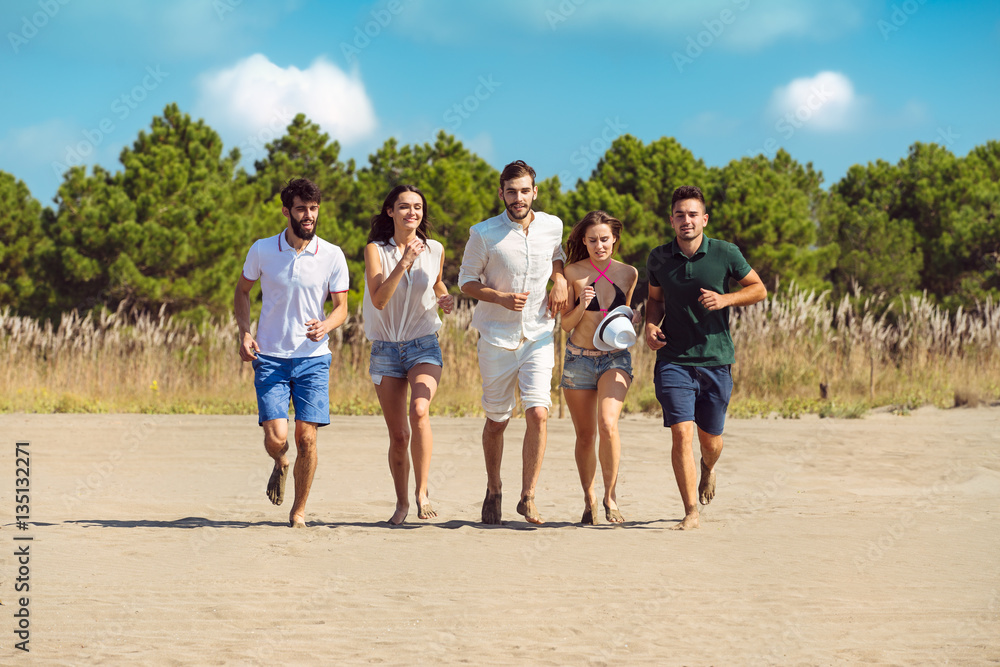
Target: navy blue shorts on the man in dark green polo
{"points": [[693, 393]]}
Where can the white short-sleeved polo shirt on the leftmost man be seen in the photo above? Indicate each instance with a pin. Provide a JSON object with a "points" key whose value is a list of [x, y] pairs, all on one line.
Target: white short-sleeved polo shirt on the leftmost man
{"points": [[294, 287]]}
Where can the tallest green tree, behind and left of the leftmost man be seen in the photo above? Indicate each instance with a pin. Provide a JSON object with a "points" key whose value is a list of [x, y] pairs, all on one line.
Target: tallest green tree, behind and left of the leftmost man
{"points": [[161, 233]]}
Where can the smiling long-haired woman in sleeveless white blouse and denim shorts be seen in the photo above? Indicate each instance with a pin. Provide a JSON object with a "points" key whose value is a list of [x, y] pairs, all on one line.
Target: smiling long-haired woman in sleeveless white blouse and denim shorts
{"points": [[403, 291]]}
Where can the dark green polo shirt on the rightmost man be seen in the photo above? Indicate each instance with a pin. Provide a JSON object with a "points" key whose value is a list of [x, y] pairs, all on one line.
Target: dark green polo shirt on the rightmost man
{"points": [[695, 336]]}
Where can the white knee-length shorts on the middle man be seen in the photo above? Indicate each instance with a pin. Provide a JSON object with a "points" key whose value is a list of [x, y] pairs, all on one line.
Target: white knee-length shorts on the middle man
{"points": [[530, 365]]}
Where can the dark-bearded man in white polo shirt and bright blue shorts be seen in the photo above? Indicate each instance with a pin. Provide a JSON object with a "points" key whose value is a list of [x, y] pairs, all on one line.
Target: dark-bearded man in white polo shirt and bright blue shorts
{"points": [[290, 355]]}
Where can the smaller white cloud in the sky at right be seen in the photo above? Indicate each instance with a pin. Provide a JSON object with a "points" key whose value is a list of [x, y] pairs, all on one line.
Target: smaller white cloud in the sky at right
{"points": [[825, 102]]}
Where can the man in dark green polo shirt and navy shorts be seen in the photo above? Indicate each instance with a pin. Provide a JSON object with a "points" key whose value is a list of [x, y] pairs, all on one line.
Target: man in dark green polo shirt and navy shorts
{"points": [[689, 295]]}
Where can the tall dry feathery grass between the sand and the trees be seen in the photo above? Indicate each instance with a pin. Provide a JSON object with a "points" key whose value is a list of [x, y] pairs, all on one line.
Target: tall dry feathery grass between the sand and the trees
{"points": [[863, 351]]}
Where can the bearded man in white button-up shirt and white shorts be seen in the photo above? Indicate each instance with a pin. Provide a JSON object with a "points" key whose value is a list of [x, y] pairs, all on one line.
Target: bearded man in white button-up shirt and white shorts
{"points": [[507, 265]]}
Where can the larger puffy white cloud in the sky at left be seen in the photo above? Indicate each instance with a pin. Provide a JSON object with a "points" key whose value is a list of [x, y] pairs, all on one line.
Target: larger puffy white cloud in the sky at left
{"points": [[256, 96]]}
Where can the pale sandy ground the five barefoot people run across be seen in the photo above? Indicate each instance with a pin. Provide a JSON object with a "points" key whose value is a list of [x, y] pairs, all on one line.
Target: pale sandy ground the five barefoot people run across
{"points": [[870, 541]]}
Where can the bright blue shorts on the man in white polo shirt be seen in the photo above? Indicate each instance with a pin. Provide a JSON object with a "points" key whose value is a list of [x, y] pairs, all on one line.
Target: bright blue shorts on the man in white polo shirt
{"points": [[306, 380]]}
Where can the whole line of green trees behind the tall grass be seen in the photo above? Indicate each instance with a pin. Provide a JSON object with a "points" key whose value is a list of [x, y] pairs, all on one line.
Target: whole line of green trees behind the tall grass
{"points": [[171, 228]]}
